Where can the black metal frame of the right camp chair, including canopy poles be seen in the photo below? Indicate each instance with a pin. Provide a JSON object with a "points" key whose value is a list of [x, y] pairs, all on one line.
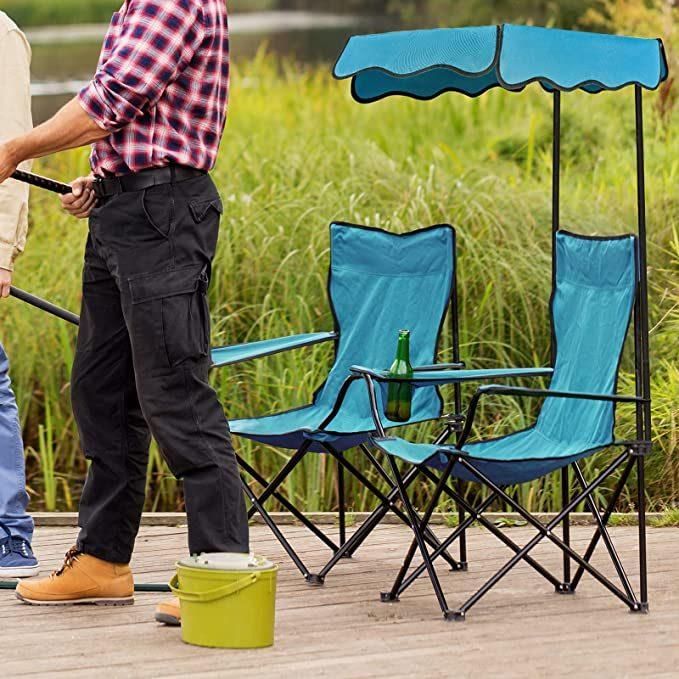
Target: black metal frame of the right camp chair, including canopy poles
{"points": [[633, 457]]}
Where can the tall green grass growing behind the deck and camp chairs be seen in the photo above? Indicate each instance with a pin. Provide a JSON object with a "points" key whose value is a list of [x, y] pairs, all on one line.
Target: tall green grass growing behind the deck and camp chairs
{"points": [[299, 154]]}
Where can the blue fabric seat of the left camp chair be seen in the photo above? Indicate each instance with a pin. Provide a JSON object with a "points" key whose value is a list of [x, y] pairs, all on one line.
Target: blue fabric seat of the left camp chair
{"points": [[292, 428]]}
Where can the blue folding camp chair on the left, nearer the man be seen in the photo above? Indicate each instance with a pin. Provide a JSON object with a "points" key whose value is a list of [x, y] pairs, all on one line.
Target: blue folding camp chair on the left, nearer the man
{"points": [[379, 283]]}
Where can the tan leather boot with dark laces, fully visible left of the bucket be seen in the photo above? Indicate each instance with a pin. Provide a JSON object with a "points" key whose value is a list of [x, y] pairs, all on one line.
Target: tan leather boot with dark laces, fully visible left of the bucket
{"points": [[83, 579]]}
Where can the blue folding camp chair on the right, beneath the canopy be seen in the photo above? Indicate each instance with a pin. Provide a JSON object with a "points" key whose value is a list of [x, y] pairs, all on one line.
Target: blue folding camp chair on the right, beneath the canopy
{"points": [[596, 283]]}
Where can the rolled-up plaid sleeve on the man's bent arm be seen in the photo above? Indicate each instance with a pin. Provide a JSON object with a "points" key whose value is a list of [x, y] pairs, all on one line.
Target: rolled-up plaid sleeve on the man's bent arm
{"points": [[158, 39]]}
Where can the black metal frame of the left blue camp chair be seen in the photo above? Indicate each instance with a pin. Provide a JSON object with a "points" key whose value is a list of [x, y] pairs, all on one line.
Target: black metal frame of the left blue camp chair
{"points": [[347, 547]]}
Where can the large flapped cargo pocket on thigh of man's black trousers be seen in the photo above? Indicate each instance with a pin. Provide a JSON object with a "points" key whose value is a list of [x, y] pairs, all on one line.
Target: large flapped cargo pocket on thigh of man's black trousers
{"points": [[170, 313]]}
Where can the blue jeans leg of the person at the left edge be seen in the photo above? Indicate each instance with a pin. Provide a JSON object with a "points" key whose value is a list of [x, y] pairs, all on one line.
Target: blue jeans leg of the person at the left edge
{"points": [[13, 496]]}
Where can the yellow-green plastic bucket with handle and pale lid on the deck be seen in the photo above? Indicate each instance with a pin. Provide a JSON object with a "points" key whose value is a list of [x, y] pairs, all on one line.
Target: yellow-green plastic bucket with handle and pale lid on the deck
{"points": [[226, 608]]}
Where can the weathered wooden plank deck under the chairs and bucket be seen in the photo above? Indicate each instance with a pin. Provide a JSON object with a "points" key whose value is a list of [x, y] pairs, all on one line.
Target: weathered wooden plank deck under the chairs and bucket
{"points": [[342, 630]]}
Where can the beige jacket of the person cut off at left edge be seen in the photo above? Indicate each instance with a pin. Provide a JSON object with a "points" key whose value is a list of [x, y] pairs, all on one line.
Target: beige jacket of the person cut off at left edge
{"points": [[15, 119]]}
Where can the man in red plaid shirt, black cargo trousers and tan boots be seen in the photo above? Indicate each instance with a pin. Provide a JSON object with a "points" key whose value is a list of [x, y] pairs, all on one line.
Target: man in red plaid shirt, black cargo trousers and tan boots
{"points": [[155, 113]]}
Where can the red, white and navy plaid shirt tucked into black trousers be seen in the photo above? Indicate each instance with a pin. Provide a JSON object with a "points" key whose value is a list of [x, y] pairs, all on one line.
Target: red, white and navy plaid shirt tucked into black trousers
{"points": [[161, 87]]}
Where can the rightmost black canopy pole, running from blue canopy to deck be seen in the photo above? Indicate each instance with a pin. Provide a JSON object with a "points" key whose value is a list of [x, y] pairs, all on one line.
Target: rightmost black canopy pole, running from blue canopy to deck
{"points": [[642, 358]]}
